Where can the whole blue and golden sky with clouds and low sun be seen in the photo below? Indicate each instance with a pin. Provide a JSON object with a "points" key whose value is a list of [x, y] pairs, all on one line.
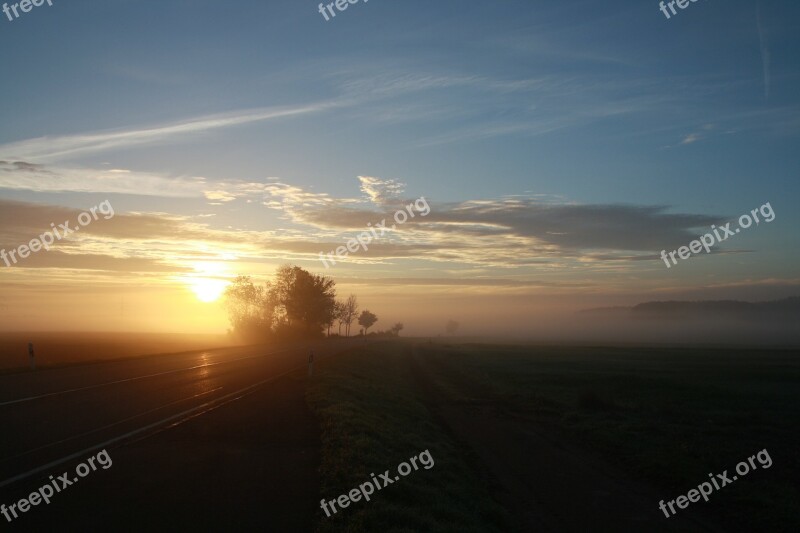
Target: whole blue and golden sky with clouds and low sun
{"points": [[560, 147]]}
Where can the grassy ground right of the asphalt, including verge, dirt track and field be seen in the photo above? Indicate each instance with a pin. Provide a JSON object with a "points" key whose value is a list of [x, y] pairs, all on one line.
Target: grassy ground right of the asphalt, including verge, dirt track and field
{"points": [[573, 439]]}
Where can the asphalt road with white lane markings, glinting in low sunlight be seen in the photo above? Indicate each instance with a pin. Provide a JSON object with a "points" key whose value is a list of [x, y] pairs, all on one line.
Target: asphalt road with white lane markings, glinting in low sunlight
{"points": [[53, 416]]}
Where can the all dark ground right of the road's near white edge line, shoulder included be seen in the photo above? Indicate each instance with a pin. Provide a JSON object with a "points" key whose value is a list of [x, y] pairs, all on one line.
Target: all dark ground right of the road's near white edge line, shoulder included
{"points": [[521, 438]]}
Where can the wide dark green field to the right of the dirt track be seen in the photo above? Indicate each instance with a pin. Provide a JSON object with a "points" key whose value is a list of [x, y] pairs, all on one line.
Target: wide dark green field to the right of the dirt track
{"points": [[667, 416]]}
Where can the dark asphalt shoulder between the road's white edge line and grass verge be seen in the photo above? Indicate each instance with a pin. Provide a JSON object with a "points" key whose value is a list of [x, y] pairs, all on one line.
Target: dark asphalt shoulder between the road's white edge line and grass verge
{"points": [[249, 466]]}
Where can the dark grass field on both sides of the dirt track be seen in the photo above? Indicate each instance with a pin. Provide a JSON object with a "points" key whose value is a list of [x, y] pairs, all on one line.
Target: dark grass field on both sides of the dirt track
{"points": [[667, 417]]}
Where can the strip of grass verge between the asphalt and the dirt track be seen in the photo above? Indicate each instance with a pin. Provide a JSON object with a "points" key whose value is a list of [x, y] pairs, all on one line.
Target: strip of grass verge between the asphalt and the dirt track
{"points": [[372, 419]]}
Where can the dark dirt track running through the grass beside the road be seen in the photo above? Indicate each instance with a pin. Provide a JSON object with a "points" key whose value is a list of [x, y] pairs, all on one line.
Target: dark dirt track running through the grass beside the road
{"points": [[550, 484]]}
